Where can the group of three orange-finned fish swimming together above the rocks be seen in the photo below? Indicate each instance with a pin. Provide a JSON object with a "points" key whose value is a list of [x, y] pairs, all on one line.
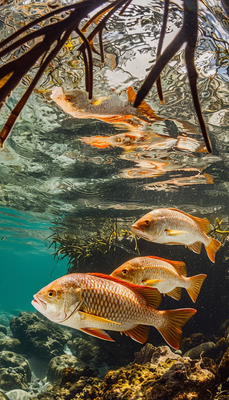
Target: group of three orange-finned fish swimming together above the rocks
{"points": [[127, 301]]}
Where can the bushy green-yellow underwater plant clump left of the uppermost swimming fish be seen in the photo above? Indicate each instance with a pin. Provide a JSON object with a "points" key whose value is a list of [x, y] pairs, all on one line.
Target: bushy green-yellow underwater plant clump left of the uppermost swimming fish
{"points": [[90, 251]]}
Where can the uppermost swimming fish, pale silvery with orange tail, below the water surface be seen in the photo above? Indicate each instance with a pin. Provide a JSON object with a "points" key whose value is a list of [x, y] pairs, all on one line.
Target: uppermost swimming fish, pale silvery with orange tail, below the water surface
{"points": [[173, 226]]}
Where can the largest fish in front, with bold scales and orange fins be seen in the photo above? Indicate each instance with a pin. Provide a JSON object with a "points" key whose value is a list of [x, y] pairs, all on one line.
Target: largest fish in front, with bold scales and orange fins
{"points": [[97, 302]]}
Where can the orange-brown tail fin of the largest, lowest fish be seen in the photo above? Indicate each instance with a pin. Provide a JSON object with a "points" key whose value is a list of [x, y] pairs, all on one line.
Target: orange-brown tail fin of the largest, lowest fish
{"points": [[171, 326]]}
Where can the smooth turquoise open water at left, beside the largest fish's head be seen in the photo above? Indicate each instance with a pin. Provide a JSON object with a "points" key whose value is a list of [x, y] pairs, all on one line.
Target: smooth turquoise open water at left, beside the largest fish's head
{"points": [[27, 264]]}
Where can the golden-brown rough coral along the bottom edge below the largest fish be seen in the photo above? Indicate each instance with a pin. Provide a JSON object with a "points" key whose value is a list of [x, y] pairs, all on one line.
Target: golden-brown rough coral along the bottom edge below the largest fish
{"points": [[163, 379]]}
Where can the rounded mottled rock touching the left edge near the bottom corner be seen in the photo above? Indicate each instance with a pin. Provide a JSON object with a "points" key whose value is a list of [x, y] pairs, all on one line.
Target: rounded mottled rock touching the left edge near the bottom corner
{"points": [[15, 371]]}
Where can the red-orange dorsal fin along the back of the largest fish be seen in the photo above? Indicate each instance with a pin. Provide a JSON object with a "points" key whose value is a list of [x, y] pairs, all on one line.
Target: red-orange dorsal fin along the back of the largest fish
{"points": [[150, 294]]}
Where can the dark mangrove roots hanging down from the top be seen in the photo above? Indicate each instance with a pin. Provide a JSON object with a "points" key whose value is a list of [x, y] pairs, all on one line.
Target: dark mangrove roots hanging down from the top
{"points": [[51, 31]]}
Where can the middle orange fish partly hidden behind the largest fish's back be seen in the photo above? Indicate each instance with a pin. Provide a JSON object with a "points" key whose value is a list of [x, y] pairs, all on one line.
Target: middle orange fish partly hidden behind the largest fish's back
{"points": [[166, 275]]}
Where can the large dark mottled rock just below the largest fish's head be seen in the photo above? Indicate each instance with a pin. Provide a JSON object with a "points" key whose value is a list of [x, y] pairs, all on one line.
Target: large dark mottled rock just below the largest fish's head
{"points": [[39, 337]]}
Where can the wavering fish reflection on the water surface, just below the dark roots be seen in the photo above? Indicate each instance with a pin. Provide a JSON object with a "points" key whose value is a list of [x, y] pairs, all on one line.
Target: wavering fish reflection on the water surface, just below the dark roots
{"points": [[111, 109]]}
